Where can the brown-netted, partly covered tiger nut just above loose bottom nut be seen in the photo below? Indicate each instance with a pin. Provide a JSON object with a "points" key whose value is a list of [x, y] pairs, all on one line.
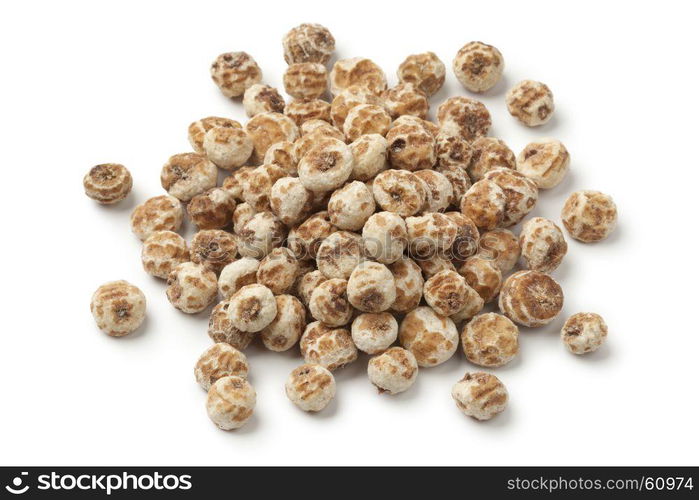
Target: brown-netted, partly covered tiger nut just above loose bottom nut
{"points": [[329, 347]]}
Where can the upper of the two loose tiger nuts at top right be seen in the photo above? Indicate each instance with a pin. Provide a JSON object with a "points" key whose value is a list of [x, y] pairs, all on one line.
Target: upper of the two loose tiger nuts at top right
{"points": [[478, 66]]}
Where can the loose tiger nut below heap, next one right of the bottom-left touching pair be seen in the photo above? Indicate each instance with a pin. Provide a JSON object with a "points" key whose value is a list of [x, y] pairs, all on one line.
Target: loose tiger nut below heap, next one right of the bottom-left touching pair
{"points": [[311, 387]]}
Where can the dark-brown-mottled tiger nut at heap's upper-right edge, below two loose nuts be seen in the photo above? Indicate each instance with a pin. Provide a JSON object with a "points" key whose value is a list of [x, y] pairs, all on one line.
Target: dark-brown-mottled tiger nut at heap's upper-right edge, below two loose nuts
{"points": [[464, 117]]}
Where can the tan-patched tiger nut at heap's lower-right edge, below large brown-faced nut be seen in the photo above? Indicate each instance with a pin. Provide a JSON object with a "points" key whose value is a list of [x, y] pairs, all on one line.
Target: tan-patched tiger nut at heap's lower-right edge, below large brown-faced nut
{"points": [[490, 340]]}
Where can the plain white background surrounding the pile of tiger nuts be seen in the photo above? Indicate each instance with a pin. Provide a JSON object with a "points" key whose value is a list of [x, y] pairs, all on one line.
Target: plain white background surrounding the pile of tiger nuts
{"points": [[91, 82]]}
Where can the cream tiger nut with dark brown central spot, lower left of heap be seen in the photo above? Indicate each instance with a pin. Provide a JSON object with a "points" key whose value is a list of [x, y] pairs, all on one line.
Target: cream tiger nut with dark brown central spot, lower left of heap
{"points": [[252, 308]]}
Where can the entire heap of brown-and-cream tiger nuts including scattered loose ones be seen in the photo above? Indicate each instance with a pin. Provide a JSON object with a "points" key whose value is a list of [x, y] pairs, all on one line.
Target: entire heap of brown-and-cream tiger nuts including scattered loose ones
{"points": [[355, 224]]}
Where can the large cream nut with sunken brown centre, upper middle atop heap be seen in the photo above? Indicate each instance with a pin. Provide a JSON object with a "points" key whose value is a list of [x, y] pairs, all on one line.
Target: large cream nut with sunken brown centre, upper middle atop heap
{"points": [[327, 166]]}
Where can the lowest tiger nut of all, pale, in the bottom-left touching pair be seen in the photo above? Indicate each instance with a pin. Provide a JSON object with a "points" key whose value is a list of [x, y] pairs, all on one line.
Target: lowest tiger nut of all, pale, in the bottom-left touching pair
{"points": [[230, 402]]}
